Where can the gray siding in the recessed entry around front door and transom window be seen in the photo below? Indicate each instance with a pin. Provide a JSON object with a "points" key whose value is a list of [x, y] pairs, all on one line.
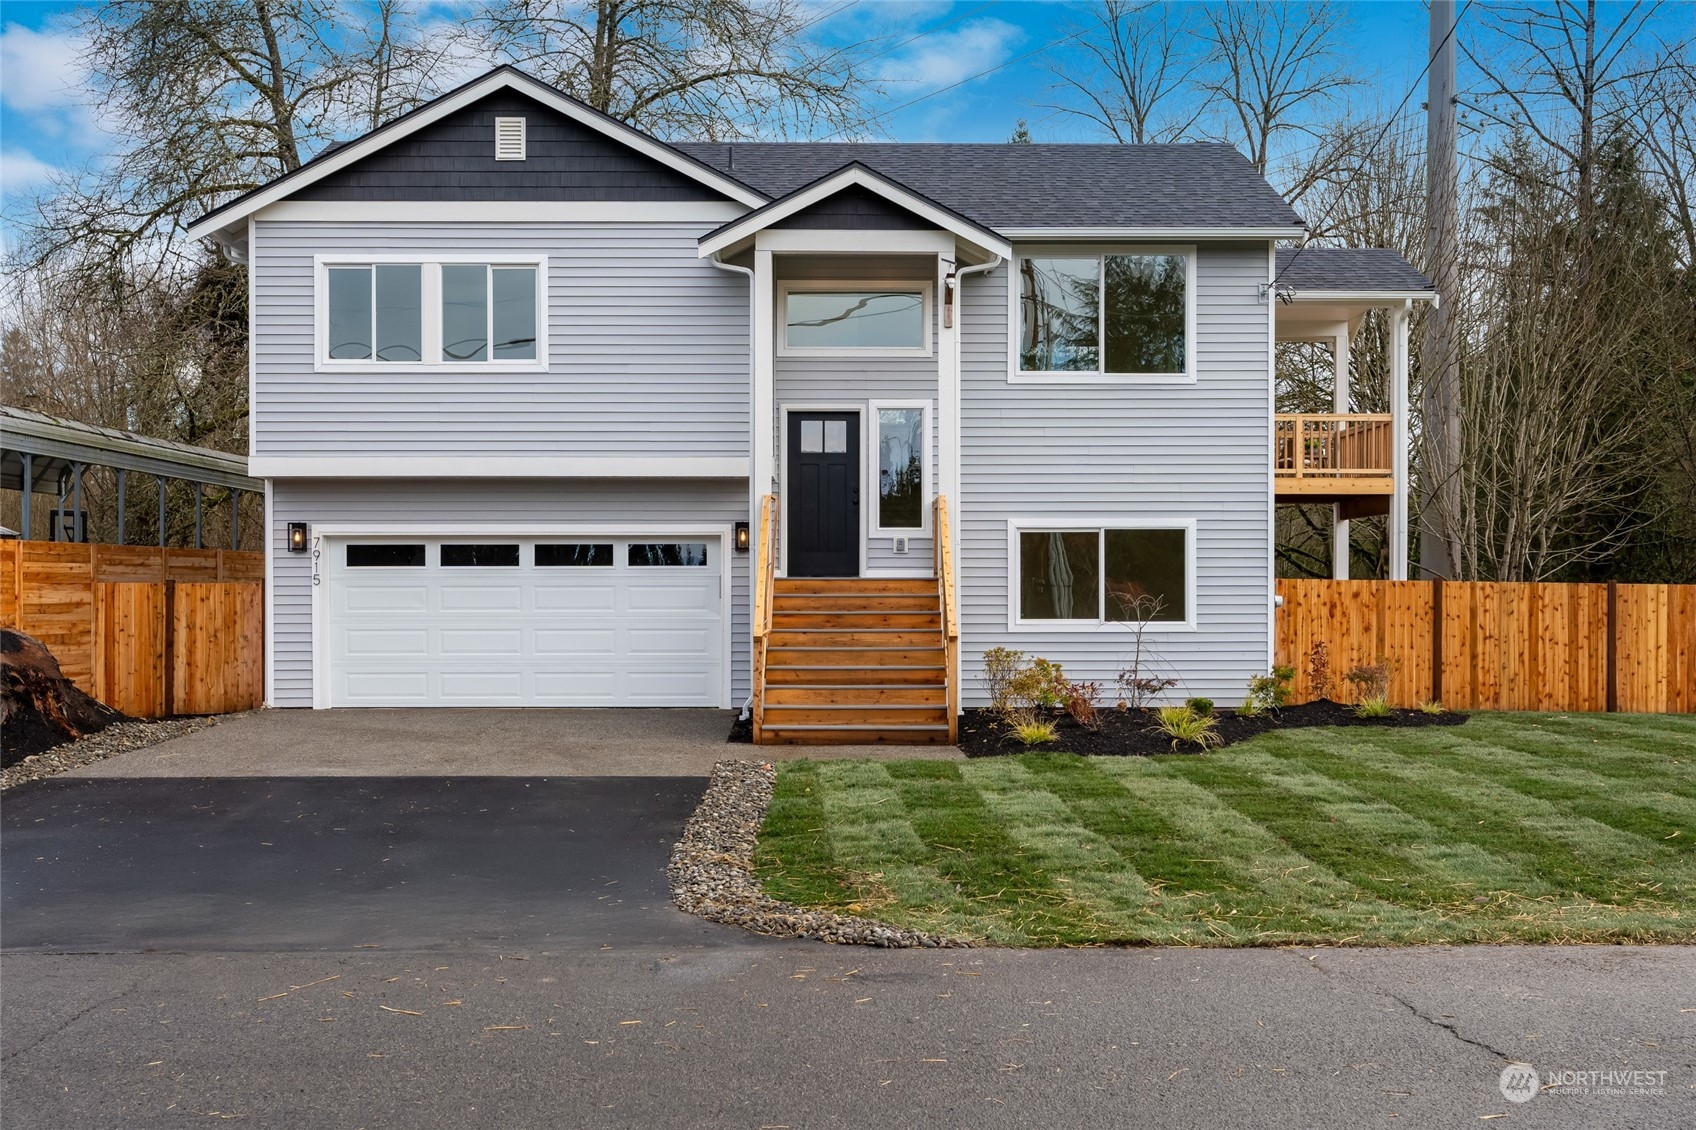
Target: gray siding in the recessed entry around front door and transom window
{"points": [[861, 381]]}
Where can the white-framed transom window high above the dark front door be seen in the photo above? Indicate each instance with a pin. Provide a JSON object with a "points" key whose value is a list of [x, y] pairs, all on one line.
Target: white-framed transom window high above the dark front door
{"points": [[856, 320]]}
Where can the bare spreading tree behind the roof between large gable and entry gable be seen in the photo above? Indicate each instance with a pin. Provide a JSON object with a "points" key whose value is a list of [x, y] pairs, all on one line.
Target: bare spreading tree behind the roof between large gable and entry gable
{"points": [[701, 70]]}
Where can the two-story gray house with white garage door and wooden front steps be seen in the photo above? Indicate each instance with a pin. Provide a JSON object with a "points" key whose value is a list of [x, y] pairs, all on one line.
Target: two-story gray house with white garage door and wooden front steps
{"points": [[552, 413]]}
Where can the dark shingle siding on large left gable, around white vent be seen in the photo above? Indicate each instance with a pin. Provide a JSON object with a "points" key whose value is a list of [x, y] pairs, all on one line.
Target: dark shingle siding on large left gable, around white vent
{"points": [[455, 160]]}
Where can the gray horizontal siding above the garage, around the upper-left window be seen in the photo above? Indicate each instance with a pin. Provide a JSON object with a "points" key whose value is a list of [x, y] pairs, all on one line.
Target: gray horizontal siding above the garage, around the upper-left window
{"points": [[649, 350]]}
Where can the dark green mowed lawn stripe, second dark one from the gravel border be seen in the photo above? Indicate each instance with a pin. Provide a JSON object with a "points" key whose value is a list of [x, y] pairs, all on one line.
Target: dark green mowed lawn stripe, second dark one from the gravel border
{"points": [[988, 868]]}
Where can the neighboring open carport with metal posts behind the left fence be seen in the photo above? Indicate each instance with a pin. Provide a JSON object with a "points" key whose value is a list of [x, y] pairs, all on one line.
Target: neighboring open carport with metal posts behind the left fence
{"points": [[47, 456]]}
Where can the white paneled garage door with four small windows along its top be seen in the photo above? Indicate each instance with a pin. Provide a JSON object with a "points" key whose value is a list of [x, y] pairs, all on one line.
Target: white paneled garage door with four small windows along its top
{"points": [[527, 622]]}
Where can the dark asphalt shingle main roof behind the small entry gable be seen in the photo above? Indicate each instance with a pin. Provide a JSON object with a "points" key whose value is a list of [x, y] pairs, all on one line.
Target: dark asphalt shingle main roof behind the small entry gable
{"points": [[1008, 186]]}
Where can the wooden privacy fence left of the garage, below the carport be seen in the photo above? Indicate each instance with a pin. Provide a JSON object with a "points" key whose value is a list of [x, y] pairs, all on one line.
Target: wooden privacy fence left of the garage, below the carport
{"points": [[147, 630]]}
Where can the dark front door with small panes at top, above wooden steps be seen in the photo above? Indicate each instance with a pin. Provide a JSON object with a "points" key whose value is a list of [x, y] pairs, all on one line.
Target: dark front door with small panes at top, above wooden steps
{"points": [[823, 522]]}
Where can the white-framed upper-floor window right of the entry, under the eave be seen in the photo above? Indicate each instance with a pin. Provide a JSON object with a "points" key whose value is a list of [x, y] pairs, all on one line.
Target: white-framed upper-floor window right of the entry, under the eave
{"points": [[1103, 315]]}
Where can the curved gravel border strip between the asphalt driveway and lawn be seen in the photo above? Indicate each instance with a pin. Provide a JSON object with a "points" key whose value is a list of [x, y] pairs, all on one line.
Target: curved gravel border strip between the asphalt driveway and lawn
{"points": [[711, 871]]}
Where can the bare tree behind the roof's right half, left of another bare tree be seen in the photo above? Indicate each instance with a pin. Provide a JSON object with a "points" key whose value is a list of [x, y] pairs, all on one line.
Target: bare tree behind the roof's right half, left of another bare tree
{"points": [[1135, 79]]}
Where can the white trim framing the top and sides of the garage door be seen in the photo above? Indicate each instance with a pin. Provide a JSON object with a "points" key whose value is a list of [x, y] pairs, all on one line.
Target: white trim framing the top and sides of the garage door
{"points": [[340, 532]]}
